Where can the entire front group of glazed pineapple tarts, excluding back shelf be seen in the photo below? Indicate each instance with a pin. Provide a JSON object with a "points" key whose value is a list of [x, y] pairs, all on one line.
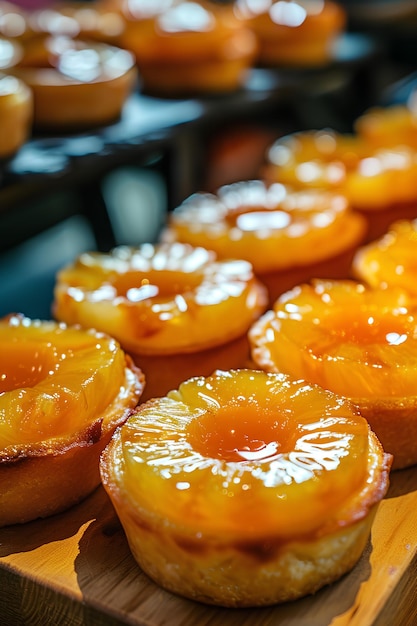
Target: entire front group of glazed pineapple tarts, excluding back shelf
{"points": [[258, 358]]}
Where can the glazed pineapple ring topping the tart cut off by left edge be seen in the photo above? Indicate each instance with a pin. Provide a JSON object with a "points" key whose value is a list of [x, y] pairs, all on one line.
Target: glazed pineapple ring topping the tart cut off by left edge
{"points": [[56, 381]]}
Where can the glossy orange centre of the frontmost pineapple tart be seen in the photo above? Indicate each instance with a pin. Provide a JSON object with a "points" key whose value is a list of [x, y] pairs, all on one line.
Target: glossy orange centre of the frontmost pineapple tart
{"points": [[236, 433]]}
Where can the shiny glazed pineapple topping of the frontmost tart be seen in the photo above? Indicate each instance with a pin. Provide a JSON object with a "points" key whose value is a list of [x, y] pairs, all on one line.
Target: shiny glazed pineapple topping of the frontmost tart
{"points": [[223, 448]]}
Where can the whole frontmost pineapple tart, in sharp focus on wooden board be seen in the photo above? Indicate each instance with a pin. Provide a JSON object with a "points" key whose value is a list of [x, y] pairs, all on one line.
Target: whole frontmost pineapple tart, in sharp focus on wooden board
{"points": [[297, 464]]}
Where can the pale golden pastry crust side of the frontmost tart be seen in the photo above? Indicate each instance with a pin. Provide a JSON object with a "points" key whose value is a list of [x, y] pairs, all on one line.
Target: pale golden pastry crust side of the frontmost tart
{"points": [[234, 576]]}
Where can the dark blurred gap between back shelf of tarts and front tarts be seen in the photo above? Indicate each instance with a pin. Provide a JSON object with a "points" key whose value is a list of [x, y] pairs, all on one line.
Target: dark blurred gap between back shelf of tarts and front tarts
{"points": [[63, 194]]}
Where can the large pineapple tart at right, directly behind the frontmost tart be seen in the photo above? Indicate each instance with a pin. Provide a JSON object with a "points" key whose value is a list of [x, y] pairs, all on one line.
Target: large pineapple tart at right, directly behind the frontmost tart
{"points": [[358, 342]]}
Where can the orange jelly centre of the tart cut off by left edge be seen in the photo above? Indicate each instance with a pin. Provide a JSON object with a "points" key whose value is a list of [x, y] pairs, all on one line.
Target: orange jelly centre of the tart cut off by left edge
{"points": [[25, 365]]}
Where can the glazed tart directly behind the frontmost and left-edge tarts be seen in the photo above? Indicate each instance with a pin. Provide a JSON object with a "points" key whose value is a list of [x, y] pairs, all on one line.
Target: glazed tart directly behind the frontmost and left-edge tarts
{"points": [[175, 308]]}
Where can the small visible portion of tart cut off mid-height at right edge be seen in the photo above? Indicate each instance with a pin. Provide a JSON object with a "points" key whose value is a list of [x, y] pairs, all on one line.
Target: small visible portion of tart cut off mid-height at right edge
{"points": [[391, 260]]}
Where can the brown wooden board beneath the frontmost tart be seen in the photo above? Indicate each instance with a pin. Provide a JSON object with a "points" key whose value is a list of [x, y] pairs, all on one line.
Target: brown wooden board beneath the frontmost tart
{"points": [[76, 569]]}
